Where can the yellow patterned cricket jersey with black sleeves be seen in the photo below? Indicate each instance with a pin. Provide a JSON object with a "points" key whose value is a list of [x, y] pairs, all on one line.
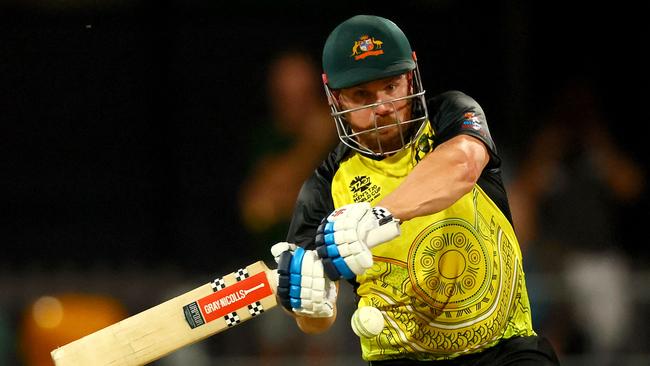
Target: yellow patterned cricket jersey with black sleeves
{"points": [[452, 283]]}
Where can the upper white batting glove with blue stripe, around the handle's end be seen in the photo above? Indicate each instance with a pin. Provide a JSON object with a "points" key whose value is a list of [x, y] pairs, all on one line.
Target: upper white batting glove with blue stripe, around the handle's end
{"points": [[342, 239]]}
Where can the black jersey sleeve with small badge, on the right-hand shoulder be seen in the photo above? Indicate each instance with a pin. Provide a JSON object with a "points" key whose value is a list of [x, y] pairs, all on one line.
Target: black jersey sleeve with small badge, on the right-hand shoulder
{"points": [[458, 114]]}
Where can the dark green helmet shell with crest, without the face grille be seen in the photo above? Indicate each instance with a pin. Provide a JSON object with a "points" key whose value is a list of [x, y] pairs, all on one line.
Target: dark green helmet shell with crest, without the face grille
{"points": [[365, 48]]}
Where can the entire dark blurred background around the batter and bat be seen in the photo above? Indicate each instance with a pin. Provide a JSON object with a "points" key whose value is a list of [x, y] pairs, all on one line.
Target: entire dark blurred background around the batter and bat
{"points": [[148, 147]]}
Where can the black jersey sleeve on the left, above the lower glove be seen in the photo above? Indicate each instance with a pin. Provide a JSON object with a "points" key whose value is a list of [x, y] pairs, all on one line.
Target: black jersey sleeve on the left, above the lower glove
{"points": [[314, 201]]}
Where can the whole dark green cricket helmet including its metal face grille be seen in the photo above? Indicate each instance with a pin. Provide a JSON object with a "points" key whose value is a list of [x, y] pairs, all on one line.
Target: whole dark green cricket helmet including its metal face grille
{"points": [[366, 48]]}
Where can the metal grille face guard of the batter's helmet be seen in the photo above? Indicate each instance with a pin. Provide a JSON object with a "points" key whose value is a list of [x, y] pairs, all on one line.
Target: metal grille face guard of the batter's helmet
{"points": [[409, 129]]}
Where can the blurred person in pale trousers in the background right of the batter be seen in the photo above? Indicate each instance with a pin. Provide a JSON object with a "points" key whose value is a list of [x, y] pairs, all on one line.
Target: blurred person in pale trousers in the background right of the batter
{"points": [[570, 196]]}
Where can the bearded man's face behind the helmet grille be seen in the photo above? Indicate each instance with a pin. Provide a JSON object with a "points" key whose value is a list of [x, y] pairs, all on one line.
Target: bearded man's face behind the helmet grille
{"points": [[385, 114]]}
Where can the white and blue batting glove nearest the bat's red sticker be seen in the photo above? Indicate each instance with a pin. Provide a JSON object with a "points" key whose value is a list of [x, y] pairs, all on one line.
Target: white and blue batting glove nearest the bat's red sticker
{"points": [[302, 286]]}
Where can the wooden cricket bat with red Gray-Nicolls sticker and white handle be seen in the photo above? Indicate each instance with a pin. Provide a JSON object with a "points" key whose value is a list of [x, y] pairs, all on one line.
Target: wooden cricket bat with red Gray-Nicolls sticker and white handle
{"points": [[188, 318]]}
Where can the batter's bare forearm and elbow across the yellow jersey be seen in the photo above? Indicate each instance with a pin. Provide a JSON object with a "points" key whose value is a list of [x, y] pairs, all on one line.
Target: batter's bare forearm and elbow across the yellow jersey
{"points": [[440, 179]]}
